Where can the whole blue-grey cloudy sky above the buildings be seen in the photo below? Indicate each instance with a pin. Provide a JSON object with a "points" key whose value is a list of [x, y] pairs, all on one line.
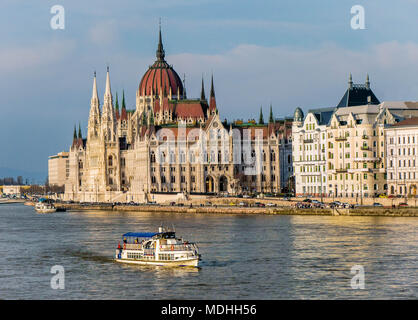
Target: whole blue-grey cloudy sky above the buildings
{"points": [[287, 53]]}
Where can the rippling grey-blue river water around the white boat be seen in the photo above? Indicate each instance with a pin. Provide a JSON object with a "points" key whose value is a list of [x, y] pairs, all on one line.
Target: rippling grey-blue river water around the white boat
{"points": [[244, 257]]}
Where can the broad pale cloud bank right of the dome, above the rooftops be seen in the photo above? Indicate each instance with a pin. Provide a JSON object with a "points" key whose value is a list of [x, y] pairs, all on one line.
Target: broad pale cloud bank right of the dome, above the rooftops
{"points": [[250, 75]]}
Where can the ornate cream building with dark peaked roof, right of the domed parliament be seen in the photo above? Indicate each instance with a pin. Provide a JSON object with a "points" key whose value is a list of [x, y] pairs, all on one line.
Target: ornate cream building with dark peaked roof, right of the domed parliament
{"points": [[354, 162]]}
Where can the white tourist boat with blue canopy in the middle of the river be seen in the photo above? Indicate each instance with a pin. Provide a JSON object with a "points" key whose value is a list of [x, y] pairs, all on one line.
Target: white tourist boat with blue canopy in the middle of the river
{"points": [[161, 249]]}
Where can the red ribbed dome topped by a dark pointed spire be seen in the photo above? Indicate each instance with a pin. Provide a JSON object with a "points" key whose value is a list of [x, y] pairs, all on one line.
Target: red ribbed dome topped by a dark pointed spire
{"points": [[160, 76]]}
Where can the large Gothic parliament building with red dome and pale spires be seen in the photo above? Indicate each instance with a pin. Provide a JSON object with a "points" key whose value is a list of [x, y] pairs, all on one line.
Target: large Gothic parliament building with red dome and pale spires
{"points": [[170, 144]]}
